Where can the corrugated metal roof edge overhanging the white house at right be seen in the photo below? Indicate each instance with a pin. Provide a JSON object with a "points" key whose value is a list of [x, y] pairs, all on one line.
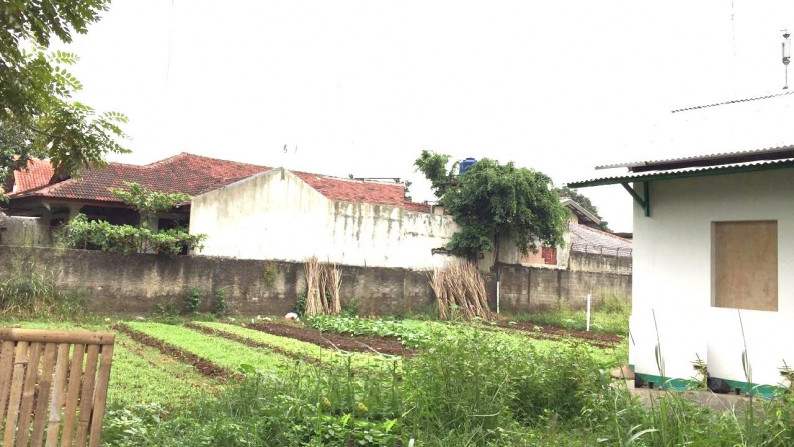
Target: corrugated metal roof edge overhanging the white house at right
{"points": [[687, 172]]}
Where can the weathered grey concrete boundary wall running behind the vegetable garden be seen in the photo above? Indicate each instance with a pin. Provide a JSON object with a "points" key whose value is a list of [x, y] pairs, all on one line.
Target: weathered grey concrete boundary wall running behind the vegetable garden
{"points": [[130, 283]]}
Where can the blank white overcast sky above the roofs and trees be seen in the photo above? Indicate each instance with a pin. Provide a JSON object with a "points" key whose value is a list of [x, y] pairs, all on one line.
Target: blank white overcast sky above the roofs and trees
{"points": [[361, 87]]}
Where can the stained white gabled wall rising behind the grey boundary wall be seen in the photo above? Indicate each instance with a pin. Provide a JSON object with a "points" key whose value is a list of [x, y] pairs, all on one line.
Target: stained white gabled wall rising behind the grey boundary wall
{"points": [[276, 215]]}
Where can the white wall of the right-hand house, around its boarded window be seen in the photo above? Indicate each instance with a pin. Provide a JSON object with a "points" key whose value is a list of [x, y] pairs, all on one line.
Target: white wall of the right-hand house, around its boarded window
{"points": [[672, 275]]}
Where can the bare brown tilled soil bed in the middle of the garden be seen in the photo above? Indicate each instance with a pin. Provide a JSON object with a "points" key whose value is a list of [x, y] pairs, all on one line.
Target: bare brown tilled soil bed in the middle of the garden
{"points": [[357, 343]]}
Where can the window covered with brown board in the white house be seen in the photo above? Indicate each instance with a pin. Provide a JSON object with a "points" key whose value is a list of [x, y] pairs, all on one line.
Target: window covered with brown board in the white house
{"points": [[744, 270]]}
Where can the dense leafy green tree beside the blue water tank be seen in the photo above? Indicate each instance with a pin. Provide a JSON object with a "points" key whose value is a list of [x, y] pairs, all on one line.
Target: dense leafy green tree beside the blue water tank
{"points": [[492, 200]]}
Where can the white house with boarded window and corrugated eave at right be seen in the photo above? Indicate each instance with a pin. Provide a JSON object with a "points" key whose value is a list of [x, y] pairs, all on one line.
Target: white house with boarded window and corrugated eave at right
{"points": [[713, 257]]}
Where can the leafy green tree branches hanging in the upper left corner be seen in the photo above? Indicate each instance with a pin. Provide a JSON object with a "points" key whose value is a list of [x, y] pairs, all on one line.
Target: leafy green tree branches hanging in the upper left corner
{"points": [[38, 116]]}
